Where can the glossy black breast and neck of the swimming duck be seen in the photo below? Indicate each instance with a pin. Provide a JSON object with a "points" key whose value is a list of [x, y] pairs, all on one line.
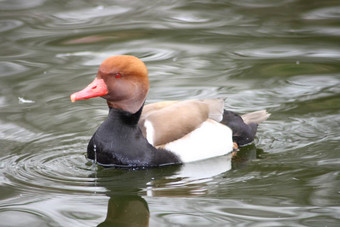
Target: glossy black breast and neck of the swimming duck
{"points": [[119, 142]]}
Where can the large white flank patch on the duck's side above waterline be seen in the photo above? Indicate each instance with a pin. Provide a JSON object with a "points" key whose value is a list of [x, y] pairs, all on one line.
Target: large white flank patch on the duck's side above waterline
{"points": [[211, 139]]}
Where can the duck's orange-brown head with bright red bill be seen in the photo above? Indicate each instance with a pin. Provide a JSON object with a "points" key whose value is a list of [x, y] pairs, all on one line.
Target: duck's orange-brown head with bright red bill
{"points": [[121, 80]]}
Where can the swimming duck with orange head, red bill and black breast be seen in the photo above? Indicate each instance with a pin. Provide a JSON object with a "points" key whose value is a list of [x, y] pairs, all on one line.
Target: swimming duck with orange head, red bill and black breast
{"points": [[135, 135]]}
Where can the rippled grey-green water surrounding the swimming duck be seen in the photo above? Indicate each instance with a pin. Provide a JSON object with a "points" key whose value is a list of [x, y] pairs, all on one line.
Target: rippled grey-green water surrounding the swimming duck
{"points": [[282, 56]]}
